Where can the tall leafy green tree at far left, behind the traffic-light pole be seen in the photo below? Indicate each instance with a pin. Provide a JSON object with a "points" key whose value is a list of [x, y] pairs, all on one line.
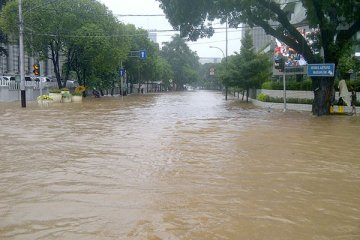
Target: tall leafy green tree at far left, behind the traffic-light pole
{"points": [[50, 30]]}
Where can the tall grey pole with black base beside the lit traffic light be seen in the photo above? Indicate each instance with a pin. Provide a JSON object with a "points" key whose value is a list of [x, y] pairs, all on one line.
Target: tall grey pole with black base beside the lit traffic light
{"points": [[21, 49]]}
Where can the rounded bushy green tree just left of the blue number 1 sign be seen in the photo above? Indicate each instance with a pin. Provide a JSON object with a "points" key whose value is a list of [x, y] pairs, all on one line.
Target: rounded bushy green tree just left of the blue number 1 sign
{"points": [[96, 58]]}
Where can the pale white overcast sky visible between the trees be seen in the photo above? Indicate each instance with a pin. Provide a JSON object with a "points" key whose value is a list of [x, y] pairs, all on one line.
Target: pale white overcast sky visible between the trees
{"points": [[146, 7]]}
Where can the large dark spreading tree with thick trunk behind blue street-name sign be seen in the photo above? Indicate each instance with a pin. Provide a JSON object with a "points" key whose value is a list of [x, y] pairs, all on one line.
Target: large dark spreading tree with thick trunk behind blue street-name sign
{"points": [[329, 16]]}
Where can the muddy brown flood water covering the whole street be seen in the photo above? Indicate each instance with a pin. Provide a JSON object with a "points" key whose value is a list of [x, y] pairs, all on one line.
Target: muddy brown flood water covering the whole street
{"points": [[177, 166]]}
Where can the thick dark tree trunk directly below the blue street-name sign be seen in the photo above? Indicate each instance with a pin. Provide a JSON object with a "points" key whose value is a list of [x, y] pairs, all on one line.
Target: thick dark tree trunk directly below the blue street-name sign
{"points": [[323, 88]]}
